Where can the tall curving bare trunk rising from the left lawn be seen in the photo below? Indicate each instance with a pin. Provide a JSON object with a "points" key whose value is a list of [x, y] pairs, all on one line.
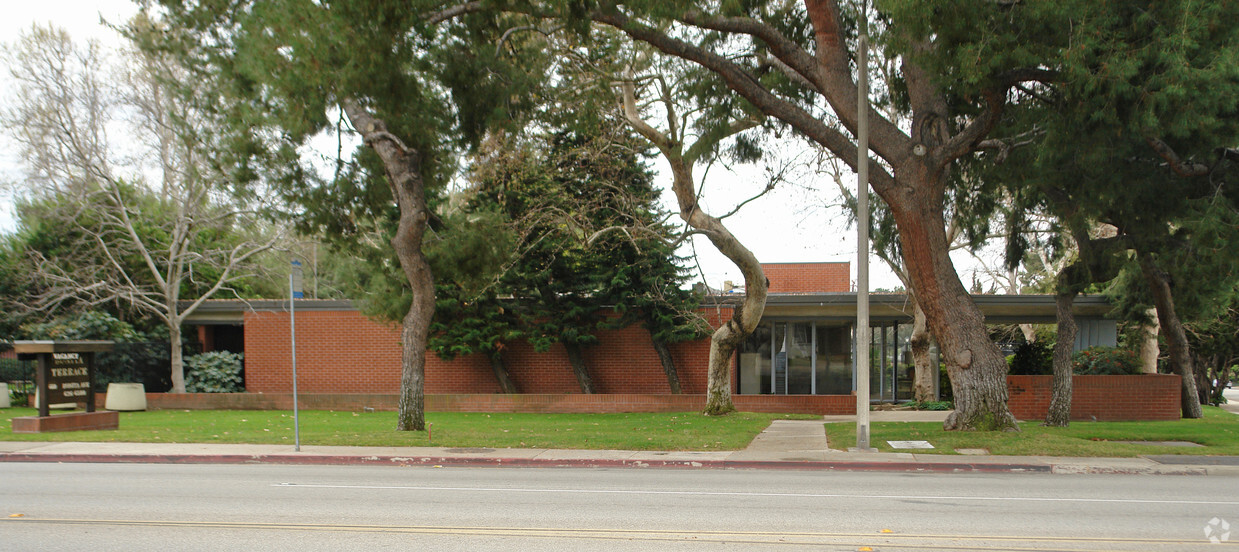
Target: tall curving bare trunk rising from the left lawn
{"points": [[403, 168]]}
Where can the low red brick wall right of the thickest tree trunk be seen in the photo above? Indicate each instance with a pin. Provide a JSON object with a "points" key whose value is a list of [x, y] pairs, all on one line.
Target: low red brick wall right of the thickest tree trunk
{"points": [[1105, 399]]}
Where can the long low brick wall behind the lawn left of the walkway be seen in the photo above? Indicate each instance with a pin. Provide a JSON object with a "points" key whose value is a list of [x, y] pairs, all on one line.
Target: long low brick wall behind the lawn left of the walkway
{"points": [[494, 403]]}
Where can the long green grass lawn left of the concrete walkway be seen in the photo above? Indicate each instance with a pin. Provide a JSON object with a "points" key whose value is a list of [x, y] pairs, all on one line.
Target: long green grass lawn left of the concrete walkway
{"points": [[678, 431]]}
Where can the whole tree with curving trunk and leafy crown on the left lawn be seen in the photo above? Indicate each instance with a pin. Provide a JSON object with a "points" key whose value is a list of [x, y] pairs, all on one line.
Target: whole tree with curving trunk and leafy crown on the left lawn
{"points": [[407, 80]]}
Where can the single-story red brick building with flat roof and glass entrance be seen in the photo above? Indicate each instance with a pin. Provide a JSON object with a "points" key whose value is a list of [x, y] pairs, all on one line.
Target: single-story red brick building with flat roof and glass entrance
{"points": [[803, 347]]}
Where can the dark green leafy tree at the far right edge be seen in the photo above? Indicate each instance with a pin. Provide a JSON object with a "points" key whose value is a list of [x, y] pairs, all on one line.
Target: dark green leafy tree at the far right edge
{"points": [[1134, 134]]}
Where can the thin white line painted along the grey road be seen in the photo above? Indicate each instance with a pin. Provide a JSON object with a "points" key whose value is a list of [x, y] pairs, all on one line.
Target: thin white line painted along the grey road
{"points": [[792, 496]]}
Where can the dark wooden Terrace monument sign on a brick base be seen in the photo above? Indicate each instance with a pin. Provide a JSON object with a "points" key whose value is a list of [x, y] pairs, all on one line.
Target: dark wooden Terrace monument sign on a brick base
{"points": [[65, 374]]}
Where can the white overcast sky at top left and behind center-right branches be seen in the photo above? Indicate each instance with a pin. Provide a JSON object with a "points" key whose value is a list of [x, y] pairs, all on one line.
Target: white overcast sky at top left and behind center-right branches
{"points": [[791, 225]]}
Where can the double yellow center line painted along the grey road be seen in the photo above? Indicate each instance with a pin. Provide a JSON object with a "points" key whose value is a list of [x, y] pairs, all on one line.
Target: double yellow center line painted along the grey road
{"points": [[885, 541]]}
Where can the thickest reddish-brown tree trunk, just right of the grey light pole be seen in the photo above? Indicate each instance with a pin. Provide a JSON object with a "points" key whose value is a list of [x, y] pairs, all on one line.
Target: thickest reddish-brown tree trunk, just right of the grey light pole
{"points": [[976, 366]]}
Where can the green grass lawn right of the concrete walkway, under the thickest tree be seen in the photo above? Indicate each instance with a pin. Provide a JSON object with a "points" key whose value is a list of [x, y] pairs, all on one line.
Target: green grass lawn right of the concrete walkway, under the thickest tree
{"points": [[1219, 431]]}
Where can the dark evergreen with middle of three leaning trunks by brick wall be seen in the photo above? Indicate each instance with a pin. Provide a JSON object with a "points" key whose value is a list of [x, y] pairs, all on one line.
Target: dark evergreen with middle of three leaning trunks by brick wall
{"points": [[585, 200]]}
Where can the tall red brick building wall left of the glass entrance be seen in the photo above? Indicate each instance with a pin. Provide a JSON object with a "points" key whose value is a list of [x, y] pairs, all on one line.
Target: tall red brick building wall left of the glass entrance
{"points": [[343, 352]]}
